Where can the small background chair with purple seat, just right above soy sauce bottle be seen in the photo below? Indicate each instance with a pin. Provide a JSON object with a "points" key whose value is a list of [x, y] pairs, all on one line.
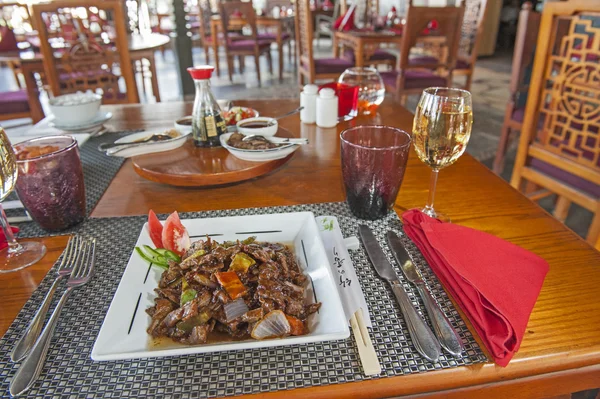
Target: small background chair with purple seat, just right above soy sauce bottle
{"points": [[250, 45]]}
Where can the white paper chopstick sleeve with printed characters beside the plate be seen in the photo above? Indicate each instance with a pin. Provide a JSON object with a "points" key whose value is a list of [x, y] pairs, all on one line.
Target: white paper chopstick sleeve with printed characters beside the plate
{"points": [[342, 268]]}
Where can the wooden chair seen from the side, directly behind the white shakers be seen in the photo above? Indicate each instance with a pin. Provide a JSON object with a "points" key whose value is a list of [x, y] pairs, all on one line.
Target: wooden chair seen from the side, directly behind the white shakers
{"points": [[309, 68]]}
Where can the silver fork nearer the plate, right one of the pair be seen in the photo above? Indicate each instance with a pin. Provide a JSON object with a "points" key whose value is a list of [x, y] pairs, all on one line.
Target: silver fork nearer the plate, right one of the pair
{"points": [[32, 367]]}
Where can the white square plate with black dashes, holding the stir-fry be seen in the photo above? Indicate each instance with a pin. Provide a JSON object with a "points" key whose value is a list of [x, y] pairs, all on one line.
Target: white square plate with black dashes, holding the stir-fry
{"points": [[123, 333]]}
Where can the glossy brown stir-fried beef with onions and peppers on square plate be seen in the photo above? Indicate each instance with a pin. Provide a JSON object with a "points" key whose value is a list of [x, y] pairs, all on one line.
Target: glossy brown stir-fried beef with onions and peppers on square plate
{"points": [[245, 289]]}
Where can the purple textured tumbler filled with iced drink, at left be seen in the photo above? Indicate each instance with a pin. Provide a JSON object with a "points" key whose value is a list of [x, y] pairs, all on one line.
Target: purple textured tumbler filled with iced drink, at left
{"points": [[50, 183]]}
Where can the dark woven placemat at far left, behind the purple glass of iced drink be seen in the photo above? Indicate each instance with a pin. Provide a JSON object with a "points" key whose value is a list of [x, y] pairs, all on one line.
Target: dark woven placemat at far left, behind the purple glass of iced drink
{"points": [[98, 171]]}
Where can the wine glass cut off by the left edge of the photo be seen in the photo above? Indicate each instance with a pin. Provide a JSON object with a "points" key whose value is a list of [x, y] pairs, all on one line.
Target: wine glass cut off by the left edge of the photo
{"points": [[17, 255]]}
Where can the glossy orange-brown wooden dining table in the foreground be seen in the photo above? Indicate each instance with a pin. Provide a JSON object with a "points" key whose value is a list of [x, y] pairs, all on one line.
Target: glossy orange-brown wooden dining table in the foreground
{"points": [[560, 352]]}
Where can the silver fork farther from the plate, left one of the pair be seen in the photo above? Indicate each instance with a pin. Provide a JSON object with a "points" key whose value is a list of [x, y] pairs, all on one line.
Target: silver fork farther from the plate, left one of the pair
{"points": [[25, 343]]}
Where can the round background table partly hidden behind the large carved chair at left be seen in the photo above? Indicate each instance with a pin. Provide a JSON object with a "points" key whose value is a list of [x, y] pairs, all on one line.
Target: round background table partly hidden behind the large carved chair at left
{"points": [[141, 47]]}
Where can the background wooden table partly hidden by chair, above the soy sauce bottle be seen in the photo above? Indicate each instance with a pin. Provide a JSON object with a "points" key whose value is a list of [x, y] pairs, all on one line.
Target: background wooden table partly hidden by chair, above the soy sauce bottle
{"points": [[279, 25]]}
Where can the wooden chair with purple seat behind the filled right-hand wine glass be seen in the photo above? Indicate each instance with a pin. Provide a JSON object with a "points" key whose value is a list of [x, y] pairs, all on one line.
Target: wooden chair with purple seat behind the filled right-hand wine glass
{"points": [[412, 78]]}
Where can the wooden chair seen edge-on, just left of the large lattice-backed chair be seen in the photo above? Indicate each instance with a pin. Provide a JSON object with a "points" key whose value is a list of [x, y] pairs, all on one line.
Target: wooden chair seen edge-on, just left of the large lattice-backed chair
{"points": [[527, 34]]}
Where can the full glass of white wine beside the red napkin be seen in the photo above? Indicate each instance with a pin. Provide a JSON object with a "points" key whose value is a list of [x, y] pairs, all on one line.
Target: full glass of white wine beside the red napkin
{"points": [[441, 131]]}
